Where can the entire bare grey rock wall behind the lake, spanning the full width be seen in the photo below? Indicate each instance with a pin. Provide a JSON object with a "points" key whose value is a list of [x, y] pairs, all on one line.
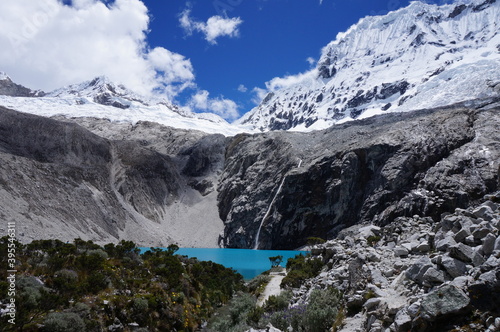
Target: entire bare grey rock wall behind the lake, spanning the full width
{"points": [[157, 185]]}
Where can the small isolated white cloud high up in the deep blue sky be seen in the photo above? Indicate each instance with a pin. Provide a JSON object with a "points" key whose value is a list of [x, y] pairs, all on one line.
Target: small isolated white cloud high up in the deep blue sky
{"points": [[215, 27]]}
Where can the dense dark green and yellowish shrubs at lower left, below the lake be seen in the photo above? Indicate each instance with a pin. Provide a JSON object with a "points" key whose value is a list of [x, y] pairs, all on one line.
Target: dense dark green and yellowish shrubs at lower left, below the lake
{"points": [[82, 286]]}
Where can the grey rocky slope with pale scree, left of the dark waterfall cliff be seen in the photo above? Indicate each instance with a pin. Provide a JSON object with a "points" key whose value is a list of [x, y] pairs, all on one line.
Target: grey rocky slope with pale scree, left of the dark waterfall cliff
{"points": [[59, 180]]}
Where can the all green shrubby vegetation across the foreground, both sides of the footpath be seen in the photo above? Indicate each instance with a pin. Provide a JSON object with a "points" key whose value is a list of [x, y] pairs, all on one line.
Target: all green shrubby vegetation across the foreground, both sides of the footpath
{"points": [[84, 287]]}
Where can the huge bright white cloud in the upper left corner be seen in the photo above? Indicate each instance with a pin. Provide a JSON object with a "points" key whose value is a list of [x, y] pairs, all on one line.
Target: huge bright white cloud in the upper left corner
{"points": [[46, 45]]}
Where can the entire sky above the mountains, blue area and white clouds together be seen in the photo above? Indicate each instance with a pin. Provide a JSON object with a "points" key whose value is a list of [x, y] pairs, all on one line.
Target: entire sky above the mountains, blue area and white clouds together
{"points": [[205, 55]]}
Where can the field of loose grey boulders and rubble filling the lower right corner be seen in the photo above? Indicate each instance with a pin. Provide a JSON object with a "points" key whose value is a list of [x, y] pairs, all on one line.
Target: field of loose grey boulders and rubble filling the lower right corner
{"points": [[429, 288]]}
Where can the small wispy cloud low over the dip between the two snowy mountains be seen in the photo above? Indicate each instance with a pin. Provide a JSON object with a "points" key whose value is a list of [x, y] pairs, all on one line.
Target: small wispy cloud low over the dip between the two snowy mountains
{"points": [[226, 108]]}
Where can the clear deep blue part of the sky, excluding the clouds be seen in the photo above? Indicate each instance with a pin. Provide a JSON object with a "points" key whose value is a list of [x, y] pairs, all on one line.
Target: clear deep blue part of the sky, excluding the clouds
{"points": [[276, 38]]}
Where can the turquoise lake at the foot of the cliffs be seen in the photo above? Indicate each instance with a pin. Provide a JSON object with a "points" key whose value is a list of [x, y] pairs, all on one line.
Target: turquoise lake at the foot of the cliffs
{"points": [[248, 262]]}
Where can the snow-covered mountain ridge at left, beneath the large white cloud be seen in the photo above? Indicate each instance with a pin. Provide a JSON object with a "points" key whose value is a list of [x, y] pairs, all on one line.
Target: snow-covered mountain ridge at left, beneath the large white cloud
{"points": [[101, 98]]}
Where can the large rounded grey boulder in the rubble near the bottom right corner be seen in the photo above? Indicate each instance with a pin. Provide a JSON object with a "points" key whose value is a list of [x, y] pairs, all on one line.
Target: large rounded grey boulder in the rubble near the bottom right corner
{"points": [[443, 301]]}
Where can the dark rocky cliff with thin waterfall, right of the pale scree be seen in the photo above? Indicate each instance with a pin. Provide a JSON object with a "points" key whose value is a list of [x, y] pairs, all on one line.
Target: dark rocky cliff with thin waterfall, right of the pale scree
{"points": [[298, 185]]}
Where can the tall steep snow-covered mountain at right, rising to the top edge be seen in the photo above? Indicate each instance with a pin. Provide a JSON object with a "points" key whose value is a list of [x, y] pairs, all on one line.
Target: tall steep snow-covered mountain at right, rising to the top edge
{"points": [[421, 56]]}
